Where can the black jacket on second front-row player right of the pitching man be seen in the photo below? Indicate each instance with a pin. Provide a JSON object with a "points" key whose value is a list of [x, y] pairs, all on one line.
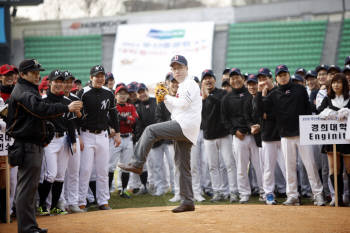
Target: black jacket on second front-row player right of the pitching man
{"points": [[233, 111]]}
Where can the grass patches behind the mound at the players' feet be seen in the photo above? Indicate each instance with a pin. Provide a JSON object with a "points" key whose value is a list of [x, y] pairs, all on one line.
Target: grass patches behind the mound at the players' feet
{"points": [[147, 200]]}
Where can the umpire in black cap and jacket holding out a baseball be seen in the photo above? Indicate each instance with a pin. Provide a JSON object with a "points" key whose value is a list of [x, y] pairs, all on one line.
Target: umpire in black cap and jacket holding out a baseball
{"points": [[26, 123]]}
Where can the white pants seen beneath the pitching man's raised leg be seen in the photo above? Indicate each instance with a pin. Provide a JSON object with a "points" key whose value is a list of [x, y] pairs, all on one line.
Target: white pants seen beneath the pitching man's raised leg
{"points": [[156, 168]]}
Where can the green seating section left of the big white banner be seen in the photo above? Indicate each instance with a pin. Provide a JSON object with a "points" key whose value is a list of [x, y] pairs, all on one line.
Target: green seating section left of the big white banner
{"points": [[75, 53]]}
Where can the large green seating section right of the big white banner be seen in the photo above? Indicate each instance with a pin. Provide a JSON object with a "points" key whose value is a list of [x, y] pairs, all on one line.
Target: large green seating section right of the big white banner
{"points": [[267, 44]]}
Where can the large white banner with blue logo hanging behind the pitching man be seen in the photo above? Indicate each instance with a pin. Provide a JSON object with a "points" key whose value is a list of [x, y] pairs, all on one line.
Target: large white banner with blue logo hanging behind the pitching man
{"points": [[142, 52]]}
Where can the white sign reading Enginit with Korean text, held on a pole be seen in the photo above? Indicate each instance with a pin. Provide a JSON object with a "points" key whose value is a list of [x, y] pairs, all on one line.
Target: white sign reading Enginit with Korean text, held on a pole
{"points": [[314, 130]]}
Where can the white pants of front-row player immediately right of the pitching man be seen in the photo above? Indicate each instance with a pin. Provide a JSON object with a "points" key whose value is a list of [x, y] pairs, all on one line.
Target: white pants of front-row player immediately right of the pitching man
{"points": [[214, 149]]}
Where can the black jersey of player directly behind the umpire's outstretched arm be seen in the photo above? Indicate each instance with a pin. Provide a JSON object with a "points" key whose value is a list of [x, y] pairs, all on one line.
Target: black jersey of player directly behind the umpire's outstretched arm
{"points": [[63, 124]]}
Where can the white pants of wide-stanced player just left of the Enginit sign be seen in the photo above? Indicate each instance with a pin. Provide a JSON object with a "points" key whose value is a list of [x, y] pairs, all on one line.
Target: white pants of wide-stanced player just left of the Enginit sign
{"points": [[289, 148]]}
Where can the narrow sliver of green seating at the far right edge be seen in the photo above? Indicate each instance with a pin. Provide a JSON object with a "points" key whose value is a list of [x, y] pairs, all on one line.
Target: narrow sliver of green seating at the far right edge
{"points": [[344, 45]]}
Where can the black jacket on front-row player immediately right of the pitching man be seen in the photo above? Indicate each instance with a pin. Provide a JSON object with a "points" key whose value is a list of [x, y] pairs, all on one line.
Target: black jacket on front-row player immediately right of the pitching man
{"points": [[213, 127]]}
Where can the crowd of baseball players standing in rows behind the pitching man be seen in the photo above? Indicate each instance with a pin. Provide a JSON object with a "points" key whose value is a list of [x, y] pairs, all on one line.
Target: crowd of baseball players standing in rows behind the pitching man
{"points": [[248, 143]]}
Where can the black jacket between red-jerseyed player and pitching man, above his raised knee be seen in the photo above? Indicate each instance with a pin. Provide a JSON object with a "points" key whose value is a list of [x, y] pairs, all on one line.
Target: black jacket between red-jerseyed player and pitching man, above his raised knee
{"points": [[146, 111]]}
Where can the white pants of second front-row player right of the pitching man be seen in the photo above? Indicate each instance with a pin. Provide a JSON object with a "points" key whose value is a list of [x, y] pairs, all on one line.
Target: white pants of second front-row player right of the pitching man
{"points": [[247, 150]]}
